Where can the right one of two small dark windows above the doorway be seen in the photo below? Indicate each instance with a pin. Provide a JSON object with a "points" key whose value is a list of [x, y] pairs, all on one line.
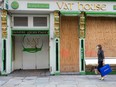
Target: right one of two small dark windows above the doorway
{"points": [[40, 21]]}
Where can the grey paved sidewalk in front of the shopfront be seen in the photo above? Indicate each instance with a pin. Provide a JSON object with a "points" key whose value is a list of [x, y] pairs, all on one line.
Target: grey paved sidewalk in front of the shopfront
{"points": [[58, 81]]}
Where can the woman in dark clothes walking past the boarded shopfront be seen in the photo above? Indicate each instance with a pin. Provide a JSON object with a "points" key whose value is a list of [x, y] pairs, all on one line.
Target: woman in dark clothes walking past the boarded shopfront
{"points": [[100, 55]]}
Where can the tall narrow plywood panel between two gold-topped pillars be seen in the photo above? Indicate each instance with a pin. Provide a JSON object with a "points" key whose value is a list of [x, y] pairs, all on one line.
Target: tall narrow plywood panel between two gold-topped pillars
{"points": [[69, 45]]}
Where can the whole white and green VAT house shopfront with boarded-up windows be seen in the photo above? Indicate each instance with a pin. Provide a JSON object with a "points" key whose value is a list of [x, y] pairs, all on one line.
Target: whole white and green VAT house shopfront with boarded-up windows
{"points": [[72, 37]]}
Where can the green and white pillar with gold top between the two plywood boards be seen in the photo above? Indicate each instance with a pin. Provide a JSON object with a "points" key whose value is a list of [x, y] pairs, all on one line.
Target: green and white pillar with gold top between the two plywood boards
{"points": [[82, 31]]}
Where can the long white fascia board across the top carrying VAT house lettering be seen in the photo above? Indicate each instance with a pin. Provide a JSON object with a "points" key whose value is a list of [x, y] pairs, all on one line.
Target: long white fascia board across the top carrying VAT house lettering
{"points": [[65, 5]]}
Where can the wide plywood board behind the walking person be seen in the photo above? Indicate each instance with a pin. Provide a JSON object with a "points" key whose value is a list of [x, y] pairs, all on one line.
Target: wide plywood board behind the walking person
{"points": [[101, 31]]}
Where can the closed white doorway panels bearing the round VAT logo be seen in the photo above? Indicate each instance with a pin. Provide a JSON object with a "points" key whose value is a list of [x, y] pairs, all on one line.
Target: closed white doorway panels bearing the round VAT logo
{"points": [[30, 52]]}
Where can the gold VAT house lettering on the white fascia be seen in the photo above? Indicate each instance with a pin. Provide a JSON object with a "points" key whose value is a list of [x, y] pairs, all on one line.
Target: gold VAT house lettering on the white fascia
{"points": [[81, 6]]}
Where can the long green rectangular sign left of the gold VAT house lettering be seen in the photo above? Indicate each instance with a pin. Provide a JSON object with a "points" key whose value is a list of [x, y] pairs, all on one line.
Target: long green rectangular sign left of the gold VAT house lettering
{"points": [[38, 5]]}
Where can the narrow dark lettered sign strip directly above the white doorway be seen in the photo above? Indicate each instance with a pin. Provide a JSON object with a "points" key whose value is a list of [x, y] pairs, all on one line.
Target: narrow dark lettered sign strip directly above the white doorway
{"points": [[23, 32]]}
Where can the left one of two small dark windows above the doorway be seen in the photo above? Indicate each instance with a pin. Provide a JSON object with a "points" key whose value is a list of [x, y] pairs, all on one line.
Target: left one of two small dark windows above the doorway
{"points": [[21, 21]]}
